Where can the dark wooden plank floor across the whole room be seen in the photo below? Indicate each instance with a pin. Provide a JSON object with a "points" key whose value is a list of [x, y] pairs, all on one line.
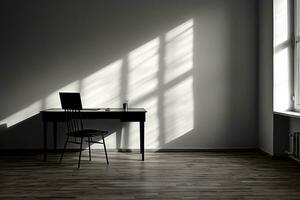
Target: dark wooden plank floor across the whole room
{"points": [[196, 175]]}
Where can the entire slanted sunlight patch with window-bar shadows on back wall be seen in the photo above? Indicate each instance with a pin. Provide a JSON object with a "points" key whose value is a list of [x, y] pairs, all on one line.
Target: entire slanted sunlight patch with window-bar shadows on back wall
{"points": [[157, 76]]}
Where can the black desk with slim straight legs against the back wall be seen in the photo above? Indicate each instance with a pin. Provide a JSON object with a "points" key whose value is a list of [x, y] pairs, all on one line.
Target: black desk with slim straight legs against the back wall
{"points": [[132, 115]]}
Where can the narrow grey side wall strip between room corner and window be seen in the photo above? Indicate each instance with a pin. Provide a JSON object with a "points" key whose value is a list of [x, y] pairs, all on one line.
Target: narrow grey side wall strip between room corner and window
{"points": [[265, 47]]}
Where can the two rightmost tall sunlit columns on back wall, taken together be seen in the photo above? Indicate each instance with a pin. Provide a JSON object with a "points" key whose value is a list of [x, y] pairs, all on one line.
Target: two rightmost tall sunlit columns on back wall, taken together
{"points": [[164, 86]]}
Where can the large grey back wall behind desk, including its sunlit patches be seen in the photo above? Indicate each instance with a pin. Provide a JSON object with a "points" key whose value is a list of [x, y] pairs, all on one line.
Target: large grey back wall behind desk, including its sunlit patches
{"points": [[204, 99]]}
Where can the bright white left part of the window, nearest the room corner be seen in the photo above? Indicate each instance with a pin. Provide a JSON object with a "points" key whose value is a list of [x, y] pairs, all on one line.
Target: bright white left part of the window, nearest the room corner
{"points": [[283, 67]]}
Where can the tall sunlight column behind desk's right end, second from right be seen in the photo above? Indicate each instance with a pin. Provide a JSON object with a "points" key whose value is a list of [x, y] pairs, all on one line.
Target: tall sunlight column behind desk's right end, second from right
{"points": [[142, 79]]}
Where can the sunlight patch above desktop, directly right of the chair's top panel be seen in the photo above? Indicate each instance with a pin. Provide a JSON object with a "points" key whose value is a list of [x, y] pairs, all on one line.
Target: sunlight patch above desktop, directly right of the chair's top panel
{"points": [[101, 89]]}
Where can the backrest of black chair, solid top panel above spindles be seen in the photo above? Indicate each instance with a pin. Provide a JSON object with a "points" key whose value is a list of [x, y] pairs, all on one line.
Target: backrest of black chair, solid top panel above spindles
{"points": [[71, 103]]}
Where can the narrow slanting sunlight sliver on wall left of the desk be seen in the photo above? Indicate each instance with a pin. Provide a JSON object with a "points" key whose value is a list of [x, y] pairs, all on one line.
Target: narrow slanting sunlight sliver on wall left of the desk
{"points": [[23, 114]]}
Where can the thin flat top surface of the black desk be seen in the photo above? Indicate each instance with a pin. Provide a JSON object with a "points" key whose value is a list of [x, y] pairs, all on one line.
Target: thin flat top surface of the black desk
{"points": [[99, 110]]}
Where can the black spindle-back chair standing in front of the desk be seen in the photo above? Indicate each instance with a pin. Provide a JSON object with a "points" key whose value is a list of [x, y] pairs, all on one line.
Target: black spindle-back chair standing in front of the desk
{"points": [[71, 103]]}
